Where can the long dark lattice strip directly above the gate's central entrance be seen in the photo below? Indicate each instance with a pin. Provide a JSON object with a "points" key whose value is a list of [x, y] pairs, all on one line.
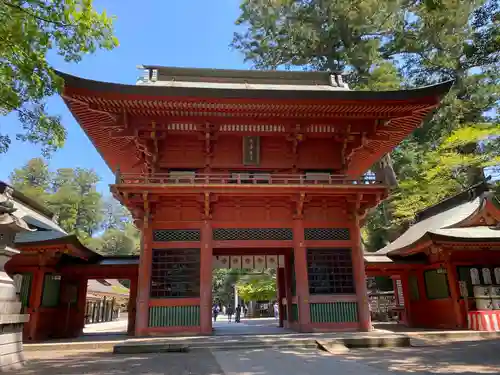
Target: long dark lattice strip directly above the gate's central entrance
{"points": [[252, 234]]}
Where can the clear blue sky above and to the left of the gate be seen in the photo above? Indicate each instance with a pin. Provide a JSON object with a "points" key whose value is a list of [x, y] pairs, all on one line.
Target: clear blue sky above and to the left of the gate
{"points": [[186, 33]]}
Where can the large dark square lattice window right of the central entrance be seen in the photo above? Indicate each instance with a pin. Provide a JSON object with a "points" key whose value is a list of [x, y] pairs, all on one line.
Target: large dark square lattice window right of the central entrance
{"points": [[330, 271]]}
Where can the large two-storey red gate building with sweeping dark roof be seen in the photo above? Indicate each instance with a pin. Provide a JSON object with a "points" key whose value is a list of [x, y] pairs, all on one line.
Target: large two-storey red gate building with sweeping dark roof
{"points": [[226, 165]]}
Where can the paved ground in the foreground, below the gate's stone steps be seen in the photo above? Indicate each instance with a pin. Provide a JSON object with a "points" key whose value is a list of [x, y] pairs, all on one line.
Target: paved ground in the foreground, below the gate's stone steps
{"points": [[460, 358]]}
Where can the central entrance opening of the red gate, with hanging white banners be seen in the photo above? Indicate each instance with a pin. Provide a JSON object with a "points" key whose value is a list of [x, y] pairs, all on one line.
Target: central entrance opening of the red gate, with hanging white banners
{"points": [[246, 293]]}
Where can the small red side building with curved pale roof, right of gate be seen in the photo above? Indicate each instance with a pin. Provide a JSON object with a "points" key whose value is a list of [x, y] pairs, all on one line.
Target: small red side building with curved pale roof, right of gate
{"points": [[446, 266]]}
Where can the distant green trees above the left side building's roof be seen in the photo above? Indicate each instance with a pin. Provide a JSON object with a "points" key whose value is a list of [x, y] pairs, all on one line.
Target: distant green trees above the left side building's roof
{"points": [[71, 194]]}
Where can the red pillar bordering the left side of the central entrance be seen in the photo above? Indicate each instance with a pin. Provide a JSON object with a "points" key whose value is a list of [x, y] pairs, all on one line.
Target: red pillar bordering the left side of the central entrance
{"points": [[206, 278]]}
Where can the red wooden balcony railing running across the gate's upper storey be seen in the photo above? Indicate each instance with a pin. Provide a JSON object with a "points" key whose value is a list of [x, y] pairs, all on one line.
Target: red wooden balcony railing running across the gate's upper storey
{"points": [[240, 179]]}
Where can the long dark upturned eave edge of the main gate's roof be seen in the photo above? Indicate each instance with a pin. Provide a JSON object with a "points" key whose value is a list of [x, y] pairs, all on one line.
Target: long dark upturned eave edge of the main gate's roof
{"points": [[437, 90]]}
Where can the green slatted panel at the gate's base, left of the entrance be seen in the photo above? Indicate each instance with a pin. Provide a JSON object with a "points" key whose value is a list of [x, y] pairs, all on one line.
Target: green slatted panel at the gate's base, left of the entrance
{"points": [[174, 316]]}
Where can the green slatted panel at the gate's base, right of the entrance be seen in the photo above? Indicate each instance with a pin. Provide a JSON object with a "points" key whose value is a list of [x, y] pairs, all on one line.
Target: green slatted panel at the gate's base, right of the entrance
{"points": [[334, 312]]}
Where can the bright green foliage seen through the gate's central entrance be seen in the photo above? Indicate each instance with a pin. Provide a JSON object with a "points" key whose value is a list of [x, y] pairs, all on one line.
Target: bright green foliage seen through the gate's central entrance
{"points": [[257, 287]]}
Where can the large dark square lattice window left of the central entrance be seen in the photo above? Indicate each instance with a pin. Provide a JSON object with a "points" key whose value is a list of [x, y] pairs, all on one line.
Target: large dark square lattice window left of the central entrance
{"points": [[175, 273]]}
